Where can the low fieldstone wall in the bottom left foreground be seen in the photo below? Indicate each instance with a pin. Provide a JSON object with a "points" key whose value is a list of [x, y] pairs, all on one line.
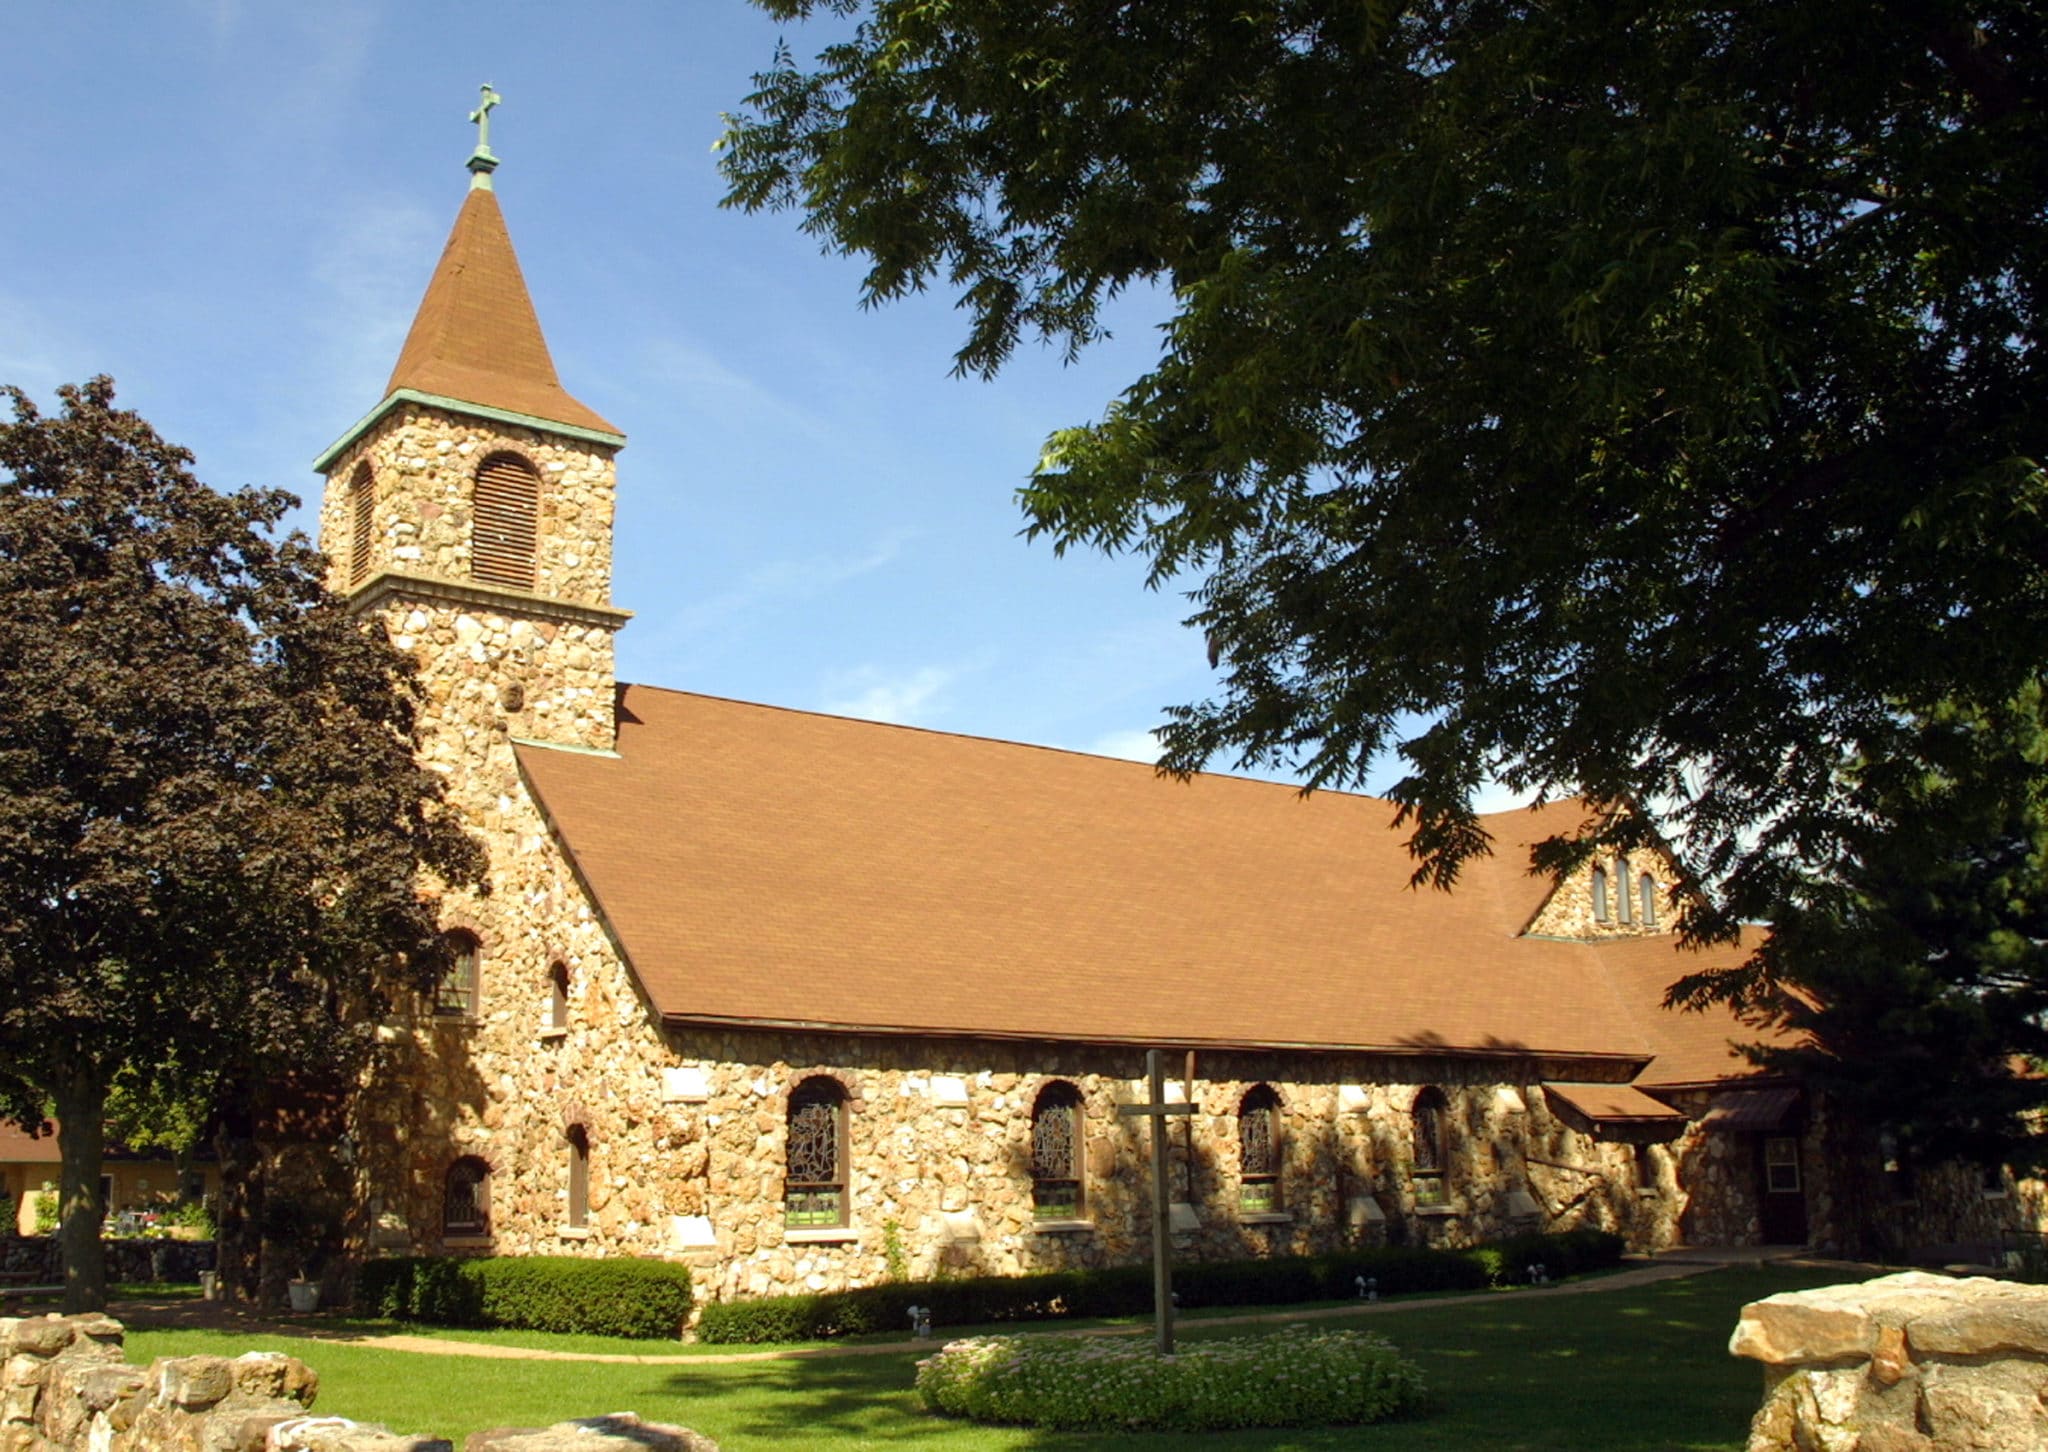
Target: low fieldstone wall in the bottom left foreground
{"points": [[69, 1385]]}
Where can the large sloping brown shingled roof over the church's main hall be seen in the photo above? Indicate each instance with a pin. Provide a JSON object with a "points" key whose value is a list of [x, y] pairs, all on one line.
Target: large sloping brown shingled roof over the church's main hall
{"points": [[781, 867]]}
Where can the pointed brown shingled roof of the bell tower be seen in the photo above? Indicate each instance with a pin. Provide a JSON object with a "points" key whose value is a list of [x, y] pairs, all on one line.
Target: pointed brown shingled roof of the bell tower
{"points": [[476, 337]]}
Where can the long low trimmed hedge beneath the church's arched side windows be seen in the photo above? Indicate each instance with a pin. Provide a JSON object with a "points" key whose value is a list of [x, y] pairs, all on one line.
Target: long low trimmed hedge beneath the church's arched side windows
{"points": [[1125, 1291]]}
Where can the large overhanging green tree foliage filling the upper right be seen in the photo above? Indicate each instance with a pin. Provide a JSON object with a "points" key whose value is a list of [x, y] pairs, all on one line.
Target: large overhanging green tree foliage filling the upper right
{"points": [[1609, 396]]}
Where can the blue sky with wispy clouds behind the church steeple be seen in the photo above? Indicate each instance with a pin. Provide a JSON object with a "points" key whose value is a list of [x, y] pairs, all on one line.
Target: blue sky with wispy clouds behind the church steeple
{"points": [[232, 208]]}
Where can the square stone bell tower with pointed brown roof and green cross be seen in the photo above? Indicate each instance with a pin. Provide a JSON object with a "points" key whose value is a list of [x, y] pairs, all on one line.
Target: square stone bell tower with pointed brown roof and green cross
{"points": [[472, 509]]}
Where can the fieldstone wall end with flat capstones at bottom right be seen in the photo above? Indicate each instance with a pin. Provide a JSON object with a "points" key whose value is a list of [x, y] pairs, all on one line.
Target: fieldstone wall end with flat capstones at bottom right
{"points": [[1908, 1363]]}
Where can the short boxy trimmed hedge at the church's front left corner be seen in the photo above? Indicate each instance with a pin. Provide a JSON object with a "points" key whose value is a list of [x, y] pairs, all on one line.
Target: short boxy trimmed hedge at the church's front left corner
{"points": [[646, 1299]]}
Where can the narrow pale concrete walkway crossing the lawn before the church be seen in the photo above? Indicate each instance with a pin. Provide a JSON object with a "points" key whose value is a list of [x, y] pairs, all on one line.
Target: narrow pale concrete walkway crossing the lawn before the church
{"points": [[212, 1316]]}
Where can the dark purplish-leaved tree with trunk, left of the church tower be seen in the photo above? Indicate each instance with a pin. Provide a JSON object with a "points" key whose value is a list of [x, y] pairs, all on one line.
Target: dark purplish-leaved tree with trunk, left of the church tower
{"points": [[212, 824]]}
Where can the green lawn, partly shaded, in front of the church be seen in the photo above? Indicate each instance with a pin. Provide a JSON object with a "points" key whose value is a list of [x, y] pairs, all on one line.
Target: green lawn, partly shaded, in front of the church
{"points": [[1627, 1371]]}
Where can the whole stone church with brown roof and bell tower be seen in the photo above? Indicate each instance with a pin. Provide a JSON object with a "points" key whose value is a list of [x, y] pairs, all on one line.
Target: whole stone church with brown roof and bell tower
{"points": [[810, 1002]]}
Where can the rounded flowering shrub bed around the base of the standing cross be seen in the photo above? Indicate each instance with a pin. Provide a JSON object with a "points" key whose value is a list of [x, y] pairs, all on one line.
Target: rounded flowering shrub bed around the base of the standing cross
{"points": [[1295, 1379]]}
